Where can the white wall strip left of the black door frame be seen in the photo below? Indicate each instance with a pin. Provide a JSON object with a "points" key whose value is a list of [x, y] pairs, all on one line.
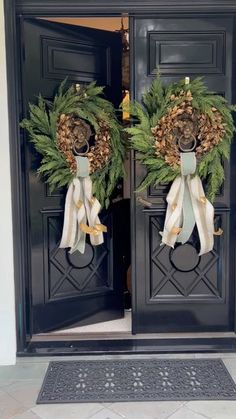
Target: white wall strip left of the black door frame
{"points": [[7, 303]]}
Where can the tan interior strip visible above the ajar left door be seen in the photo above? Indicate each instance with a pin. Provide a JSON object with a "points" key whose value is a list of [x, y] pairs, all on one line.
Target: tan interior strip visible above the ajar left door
{"points": [[108, 24]]}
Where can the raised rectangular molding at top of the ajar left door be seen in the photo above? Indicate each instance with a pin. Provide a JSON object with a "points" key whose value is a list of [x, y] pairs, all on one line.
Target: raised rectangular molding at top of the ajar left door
{"points": [[58, 52]]}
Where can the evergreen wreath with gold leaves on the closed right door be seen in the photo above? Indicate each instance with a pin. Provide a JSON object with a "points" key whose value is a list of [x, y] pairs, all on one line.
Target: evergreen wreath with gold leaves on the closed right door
{"points": [[177, 110]]}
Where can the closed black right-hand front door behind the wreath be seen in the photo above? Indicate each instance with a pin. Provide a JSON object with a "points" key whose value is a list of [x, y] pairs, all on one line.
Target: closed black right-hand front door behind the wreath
{"points": [[176, 290]]}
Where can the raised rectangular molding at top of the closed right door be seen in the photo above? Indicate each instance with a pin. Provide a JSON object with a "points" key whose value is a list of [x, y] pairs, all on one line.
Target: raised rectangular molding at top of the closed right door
{"points": [[176, 53]]}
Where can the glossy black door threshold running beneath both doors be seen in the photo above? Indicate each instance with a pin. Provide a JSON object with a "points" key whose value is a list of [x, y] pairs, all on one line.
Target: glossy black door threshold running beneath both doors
{"points": [[48, 345]]}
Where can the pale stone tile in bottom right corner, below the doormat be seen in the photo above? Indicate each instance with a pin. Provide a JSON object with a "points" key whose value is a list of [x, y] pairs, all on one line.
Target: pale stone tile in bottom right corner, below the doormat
{"points": [[222, 409]]}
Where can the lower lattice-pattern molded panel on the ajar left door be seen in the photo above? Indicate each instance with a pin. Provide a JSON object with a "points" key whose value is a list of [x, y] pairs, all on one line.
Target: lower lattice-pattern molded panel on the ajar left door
{"points": [[68, 276]]}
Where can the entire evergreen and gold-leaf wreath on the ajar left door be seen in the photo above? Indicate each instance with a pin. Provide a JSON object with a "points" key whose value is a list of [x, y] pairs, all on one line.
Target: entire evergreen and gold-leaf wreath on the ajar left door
{"points": [[59, 126]]}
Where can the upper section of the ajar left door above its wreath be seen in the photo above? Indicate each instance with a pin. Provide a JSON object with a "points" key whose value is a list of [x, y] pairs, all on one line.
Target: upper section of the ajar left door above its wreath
{"points": [[54, 51]]}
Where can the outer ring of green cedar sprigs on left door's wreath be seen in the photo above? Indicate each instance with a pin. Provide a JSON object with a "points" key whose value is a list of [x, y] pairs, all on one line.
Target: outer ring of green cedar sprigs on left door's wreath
{"points": [[88, 104]]}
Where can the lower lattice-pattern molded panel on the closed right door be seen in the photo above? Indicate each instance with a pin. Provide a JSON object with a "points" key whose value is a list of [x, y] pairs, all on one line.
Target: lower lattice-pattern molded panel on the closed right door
{"points": [[180, 274]]}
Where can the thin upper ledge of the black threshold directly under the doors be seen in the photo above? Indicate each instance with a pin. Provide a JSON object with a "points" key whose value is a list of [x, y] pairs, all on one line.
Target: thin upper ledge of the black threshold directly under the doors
{"points": [[52, 337]]}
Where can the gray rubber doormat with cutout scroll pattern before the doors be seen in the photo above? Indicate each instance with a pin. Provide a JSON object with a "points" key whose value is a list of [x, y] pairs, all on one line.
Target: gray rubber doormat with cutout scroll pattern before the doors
{"points": [[136, 380]]}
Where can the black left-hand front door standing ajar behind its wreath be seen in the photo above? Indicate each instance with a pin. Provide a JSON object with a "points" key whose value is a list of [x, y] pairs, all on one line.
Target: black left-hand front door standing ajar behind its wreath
{"points": [[67, 288]]}
